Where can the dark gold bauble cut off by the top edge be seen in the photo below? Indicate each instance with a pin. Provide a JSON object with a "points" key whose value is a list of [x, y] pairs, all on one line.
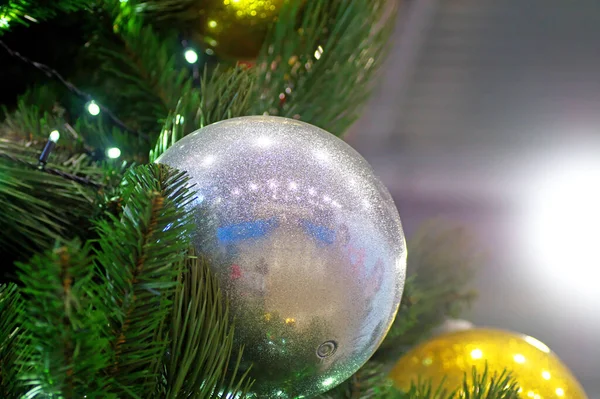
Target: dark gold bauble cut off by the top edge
{"points": [[235, 29]]}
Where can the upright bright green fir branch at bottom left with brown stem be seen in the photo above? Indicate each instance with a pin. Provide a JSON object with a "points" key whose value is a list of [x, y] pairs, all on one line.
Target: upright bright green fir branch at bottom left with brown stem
{"points": [[65, 326]]}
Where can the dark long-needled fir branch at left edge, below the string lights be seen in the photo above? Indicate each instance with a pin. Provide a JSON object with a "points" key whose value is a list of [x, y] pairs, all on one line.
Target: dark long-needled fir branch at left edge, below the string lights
{"points": [[36, 207]]}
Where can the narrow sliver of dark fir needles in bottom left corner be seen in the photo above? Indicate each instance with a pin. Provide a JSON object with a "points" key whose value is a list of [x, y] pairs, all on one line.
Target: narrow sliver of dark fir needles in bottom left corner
{"points": [[11, 308]]}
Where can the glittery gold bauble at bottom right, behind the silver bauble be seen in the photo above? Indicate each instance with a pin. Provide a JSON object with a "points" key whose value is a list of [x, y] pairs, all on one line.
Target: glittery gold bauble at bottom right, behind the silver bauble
{"points": [[539, 372]]}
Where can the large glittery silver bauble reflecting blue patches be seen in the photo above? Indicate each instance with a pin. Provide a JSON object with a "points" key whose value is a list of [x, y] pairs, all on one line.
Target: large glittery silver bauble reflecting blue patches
{"points": [[306, 242]]}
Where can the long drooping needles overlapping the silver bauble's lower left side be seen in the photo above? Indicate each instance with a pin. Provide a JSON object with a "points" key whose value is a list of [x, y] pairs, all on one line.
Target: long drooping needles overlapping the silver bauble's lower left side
{"points": [[201, 339]]}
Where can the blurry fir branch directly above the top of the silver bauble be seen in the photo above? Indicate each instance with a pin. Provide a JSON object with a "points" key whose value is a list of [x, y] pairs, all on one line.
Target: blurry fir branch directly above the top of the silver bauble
{"points": [[319, 61]]}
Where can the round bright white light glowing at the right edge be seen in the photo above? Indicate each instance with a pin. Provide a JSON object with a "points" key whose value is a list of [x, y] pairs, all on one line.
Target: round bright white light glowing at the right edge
{"points": [[562, 229]]}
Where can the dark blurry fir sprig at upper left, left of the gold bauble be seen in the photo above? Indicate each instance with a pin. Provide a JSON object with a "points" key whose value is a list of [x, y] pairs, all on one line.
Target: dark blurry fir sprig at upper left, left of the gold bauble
{"points": [[142, 73]]}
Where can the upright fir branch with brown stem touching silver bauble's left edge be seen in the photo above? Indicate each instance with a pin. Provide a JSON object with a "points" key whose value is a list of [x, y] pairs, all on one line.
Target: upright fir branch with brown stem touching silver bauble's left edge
{"points": [[137, 259]]}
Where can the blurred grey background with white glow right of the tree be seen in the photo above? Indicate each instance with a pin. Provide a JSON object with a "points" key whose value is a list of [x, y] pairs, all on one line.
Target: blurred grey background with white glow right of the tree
{"points": [[488, 115]]}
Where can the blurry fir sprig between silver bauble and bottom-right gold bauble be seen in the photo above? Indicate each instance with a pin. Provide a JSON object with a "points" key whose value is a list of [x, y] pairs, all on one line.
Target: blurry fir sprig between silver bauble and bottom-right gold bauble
{"points": [[441, 263]]}
